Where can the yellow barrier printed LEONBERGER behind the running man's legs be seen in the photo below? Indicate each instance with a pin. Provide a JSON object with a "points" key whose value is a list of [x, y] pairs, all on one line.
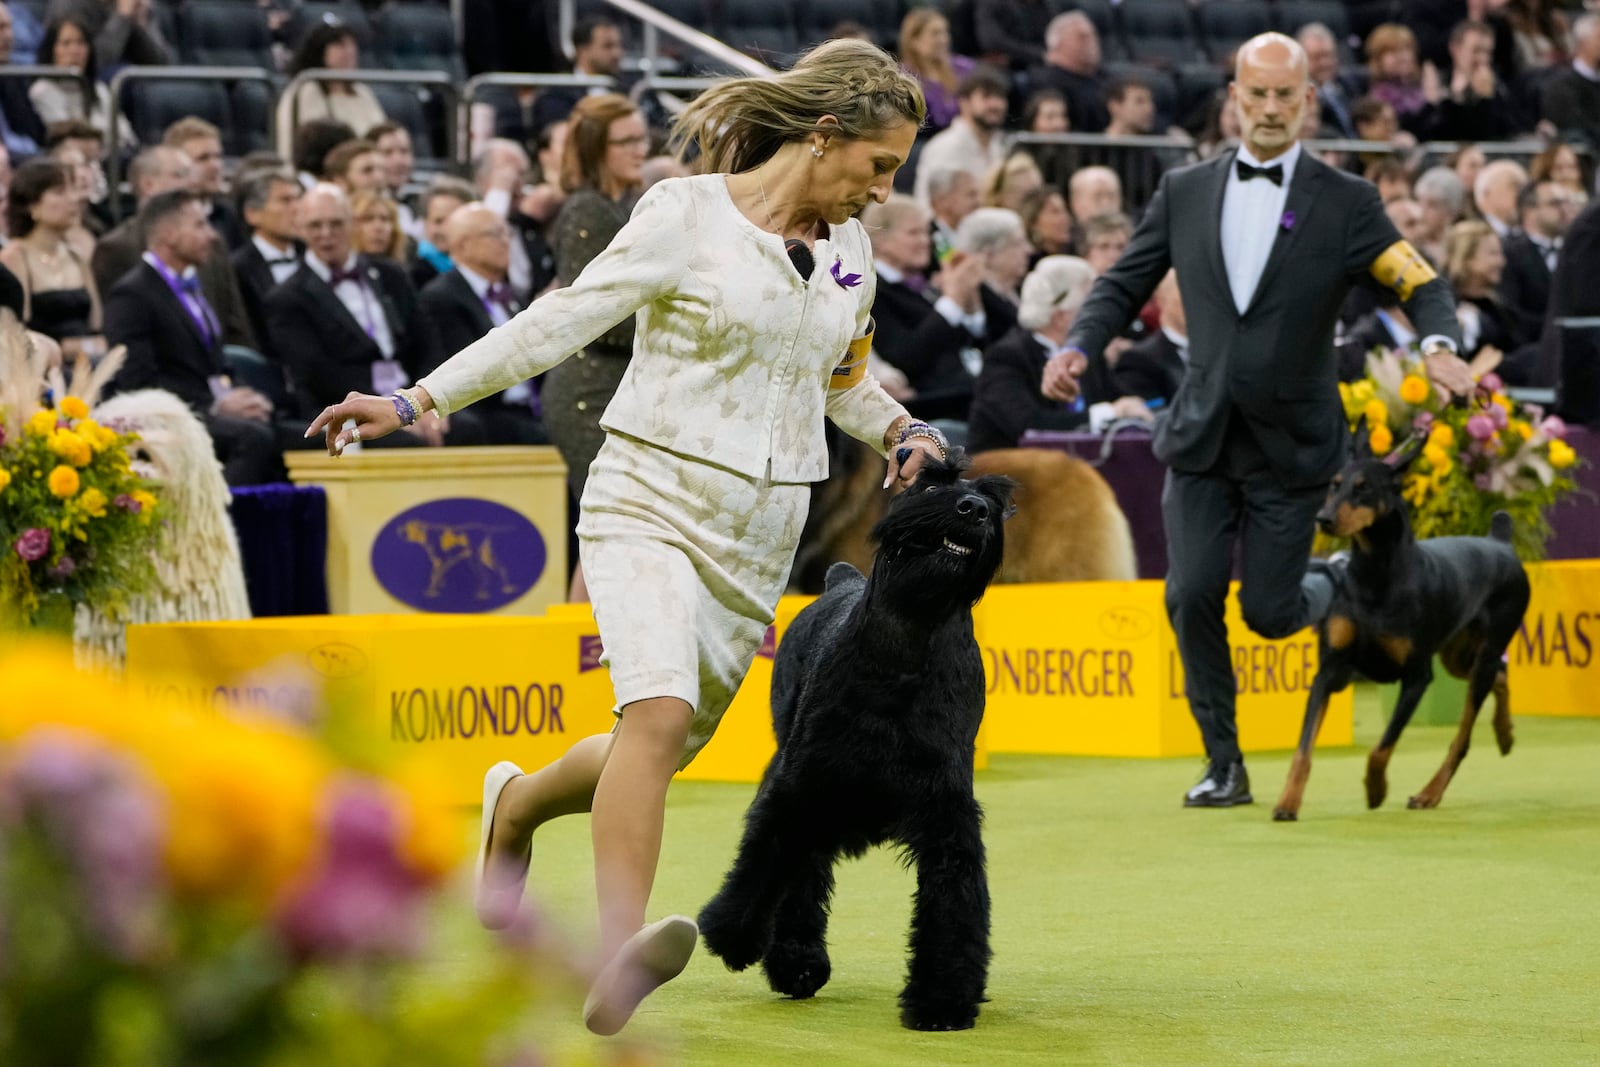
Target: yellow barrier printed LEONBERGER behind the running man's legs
{"points": [[1094, 669]]}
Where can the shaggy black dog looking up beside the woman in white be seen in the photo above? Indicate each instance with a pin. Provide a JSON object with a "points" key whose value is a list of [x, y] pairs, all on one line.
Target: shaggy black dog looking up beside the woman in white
{"points": [[878, 695]]}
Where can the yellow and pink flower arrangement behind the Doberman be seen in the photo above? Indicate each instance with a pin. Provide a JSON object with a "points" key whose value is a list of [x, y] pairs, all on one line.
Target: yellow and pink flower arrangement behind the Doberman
{"points": [[1476, 460]]}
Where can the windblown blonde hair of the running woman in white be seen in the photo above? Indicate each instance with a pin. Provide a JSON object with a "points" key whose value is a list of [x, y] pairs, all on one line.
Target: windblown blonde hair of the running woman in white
{"points": [[743, 122]]}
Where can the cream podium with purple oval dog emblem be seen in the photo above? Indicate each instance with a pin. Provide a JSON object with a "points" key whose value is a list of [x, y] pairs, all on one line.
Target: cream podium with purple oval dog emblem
{"points": [[442, 530]]}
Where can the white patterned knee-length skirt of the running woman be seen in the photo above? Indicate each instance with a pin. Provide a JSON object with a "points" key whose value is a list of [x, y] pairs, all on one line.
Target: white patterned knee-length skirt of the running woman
{"points": [[686, 564]]}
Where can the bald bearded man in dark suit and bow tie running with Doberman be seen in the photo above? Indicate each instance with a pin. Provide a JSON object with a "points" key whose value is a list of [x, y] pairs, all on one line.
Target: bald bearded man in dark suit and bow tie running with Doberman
{"points": [[1266, 241]]}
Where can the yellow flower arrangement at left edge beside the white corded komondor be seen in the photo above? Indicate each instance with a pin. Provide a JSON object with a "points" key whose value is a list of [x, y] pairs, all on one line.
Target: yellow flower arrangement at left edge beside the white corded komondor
{"points": [[78, 522]]}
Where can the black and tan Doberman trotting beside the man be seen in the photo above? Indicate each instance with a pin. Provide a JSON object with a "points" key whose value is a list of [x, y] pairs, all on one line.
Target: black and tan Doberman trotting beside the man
{"points": [[1399, 604]]}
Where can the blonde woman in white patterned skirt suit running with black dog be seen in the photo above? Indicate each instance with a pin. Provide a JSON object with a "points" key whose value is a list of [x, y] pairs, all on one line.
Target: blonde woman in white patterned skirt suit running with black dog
{"points": [[753, 287]]}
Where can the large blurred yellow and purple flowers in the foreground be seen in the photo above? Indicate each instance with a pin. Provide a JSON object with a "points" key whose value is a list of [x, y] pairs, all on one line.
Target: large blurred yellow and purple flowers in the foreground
{"points": [[180, 887]]}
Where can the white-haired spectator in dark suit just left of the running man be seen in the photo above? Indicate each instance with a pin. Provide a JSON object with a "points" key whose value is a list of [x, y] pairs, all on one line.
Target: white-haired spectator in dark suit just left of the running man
{"points": [[1009, 401]]}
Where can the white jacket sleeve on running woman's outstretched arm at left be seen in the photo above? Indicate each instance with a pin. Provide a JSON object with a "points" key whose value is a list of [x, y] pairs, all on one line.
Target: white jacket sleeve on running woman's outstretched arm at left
{"points": [[642, 265]]}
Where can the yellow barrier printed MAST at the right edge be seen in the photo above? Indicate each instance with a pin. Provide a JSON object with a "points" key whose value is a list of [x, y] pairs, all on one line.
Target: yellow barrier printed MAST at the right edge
{"points": [[1554, 663]]}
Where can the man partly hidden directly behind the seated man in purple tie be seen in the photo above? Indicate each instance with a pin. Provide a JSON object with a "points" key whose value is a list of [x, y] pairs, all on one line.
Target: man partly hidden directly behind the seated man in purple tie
{"points": [[154, 172]]}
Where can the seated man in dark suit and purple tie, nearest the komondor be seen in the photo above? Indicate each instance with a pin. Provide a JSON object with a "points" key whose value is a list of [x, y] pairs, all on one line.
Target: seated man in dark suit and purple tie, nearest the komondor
{"points": [[175, 340]]}
